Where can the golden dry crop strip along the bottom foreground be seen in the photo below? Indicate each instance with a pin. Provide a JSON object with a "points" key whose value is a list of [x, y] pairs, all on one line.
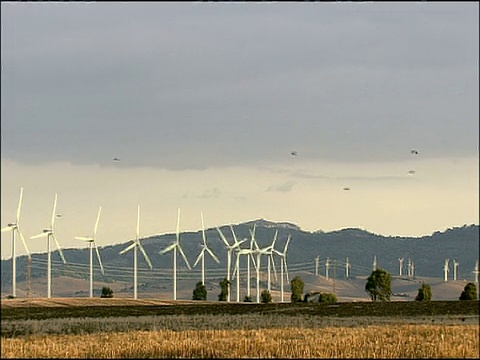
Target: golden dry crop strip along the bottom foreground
{"points": [[374, 341]]}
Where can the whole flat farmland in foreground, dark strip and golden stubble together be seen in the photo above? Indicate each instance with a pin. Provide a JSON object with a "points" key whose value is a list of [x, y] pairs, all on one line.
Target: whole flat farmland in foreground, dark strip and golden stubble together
{"points": [[75, 328]]}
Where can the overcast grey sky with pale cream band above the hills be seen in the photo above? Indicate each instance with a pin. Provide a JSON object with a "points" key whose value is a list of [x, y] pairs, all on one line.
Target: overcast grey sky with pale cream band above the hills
{"points": [[203, 103]]}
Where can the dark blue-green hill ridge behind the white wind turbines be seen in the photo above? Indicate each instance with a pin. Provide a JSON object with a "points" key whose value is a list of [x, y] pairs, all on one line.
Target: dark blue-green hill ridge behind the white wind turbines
{"points": [[427, 253]]}
